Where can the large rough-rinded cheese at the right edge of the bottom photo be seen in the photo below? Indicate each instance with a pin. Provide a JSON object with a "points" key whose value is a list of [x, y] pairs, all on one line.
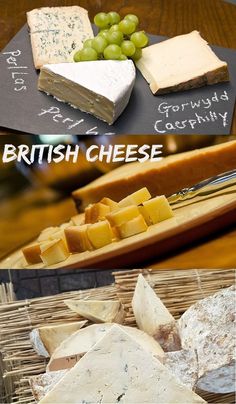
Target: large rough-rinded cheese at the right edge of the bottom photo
{"points": [[208, 327]]}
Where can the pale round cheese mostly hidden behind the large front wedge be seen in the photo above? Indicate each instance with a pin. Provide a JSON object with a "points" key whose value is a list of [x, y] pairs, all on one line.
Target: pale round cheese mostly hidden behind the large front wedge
{"points": [[75, 346]]}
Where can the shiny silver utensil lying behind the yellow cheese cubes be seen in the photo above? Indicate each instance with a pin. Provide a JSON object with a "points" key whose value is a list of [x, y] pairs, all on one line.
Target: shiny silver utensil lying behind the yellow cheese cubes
{"points": [[205, 188]]}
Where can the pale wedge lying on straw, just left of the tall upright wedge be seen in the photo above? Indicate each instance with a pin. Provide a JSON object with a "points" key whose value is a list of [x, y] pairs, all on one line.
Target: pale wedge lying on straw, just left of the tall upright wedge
{"points": [[98, 311]]}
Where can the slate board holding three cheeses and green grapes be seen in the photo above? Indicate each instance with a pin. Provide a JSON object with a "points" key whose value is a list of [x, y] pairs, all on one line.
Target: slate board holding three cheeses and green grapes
{"points": [[105, 76]]}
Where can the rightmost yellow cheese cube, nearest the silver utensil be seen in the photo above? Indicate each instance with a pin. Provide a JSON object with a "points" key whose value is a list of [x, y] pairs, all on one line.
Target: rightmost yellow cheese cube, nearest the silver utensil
{"points": [[156, 210]]}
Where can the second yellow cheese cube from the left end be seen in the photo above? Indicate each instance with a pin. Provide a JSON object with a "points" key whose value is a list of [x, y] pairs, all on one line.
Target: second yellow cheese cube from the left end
{"points": [[53, 252]]}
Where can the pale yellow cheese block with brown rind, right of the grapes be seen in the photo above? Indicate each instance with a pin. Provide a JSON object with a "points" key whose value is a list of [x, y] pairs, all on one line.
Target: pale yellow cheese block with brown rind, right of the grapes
{"points": [[181, 63]]}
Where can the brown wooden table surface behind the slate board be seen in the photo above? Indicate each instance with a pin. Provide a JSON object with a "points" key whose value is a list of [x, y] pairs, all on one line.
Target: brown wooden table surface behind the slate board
{"points": [[215, 19]]}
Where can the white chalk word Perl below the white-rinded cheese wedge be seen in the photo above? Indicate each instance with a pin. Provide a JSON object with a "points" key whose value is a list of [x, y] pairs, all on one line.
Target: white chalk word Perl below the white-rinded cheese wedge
{"points": [[56, 116]]}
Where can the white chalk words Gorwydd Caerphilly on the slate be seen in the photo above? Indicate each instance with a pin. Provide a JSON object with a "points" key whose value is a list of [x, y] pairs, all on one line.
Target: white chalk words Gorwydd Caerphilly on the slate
{"points": [[199, 112]]}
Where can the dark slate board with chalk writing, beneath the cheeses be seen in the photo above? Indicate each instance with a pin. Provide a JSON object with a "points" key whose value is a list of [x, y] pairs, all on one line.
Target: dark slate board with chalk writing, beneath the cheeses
{"points": [[205, 110]]}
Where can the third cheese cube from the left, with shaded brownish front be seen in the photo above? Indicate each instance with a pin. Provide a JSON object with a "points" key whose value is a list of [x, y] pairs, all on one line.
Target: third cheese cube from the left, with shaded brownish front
{"points": [[77, 239]]}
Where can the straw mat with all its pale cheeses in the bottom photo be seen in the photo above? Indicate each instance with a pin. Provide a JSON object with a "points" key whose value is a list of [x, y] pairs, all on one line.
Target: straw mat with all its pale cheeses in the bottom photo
{"points": [[74, 369]]}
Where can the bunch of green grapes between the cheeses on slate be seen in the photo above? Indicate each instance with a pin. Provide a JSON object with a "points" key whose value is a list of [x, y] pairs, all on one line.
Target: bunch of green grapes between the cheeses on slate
{"points": [[117, 39]]}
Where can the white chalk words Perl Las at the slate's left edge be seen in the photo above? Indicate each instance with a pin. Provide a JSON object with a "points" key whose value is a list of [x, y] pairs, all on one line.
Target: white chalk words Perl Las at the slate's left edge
{"points": [[18, 72]]}
